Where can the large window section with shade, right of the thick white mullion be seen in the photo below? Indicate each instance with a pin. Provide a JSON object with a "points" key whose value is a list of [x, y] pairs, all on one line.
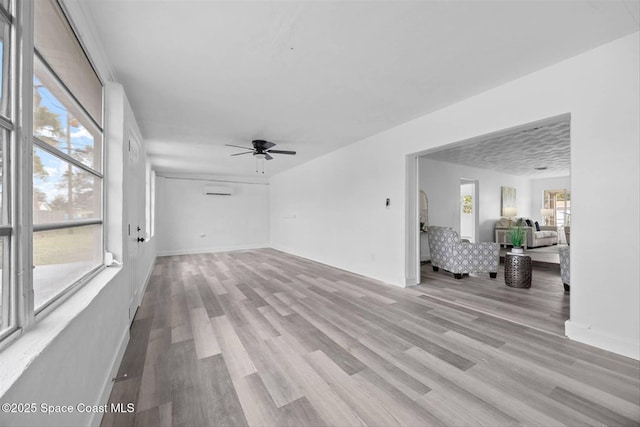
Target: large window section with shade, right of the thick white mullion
{"points": [[67, 158]]}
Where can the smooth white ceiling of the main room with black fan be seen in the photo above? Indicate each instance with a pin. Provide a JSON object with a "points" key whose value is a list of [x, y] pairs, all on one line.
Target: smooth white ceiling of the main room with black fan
{"points": [[313, 76]]}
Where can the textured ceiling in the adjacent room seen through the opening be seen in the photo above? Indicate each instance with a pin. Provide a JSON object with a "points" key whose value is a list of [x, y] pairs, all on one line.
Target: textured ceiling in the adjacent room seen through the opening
{"points": [[522, 152]]}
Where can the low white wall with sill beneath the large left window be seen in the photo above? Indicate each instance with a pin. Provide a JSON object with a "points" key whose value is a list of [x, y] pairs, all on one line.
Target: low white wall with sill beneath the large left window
{"points": [[76, 365]]}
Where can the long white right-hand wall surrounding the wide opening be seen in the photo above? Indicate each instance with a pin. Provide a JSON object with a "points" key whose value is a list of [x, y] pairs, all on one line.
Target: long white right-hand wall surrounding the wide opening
{"points": [[338, 198]]}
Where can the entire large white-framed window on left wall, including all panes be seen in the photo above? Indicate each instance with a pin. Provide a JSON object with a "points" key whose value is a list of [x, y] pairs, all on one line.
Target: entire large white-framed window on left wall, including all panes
{"points": [[59, 230]]}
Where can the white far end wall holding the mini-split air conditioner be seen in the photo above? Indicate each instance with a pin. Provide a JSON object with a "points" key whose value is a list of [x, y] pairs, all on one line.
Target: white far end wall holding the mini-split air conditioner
{"points": [[191, 222]]}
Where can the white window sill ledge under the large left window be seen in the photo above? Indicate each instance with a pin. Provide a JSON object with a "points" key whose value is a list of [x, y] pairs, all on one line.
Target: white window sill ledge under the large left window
{"points": [[23, 350]]}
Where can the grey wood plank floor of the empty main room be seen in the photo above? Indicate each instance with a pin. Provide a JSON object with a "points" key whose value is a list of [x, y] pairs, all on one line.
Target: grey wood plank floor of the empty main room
{"points": [[263, 338]]}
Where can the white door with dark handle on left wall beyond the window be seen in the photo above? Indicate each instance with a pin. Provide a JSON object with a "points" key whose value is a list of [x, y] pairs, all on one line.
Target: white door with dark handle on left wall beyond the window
{"points": [[135, 224]]}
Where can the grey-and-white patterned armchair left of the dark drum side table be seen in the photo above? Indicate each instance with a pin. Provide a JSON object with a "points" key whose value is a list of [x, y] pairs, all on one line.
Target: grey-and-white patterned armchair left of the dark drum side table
{"points": [[461, 257]]}
